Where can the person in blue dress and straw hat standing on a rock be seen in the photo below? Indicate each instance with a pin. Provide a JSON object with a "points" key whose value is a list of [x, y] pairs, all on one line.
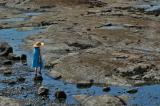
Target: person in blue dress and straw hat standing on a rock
{"points": [[37, 58]]}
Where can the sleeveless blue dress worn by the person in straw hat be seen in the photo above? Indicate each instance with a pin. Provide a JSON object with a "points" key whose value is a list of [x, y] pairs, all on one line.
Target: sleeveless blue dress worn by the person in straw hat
{"points": [[37, 59]]}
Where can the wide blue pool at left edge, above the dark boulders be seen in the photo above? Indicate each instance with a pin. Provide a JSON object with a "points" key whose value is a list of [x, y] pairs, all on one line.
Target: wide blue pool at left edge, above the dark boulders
{"points": [[15, 37]]}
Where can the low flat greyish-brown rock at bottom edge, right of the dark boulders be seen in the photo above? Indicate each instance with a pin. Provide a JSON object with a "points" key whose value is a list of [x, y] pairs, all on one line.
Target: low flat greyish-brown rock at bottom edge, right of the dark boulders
{"points": [[104, 100]]}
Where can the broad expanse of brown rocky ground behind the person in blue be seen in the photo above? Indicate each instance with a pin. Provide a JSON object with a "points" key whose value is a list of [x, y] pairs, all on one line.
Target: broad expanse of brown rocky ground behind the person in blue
{"points": [[110, 42]]}
